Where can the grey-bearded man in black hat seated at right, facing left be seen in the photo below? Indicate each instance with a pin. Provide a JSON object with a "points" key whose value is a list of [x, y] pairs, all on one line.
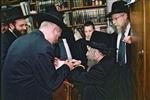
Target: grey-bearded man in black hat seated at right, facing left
{"points": [[97, 82]]}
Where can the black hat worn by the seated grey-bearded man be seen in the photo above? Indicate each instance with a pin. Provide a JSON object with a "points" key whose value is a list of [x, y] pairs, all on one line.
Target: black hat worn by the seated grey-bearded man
{"points": [[103, 48]]}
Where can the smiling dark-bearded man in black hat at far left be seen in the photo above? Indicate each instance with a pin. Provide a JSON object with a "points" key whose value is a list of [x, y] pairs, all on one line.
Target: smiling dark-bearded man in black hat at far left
{"points": [[17, 26]]}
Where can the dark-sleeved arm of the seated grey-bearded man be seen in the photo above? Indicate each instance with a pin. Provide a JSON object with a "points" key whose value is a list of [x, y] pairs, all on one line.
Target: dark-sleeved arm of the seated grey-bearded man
{"points": [[95, 76]]}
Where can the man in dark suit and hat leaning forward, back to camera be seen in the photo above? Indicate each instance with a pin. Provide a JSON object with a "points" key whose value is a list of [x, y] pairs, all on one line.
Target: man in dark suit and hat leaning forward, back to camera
{"points": [[31, 71]]}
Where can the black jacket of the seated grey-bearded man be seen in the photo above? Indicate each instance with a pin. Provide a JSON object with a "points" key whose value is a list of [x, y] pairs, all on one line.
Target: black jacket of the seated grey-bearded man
{"points": [[97, 82]]}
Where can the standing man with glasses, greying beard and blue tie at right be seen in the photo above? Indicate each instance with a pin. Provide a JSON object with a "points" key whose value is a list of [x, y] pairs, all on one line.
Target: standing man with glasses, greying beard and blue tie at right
{"points": [[122, 41]]}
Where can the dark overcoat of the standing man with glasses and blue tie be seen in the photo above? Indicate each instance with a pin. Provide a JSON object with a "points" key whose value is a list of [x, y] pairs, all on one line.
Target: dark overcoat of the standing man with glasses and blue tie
{"points": [[124, 77]]}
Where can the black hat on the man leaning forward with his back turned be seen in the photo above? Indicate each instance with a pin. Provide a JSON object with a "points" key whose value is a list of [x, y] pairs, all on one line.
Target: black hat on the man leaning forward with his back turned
{"points": [[52, 16]]}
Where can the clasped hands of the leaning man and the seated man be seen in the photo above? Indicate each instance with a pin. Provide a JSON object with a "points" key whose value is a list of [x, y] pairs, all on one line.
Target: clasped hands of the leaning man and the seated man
{"points": [[73, 63]]}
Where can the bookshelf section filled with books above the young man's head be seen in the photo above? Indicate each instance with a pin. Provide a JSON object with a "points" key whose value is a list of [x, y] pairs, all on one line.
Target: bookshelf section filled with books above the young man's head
{"points": [[80, 11]]}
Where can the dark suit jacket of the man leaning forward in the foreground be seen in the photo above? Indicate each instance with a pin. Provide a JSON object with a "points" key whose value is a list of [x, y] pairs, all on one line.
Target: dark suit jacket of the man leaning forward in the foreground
{"points": [[29, 72]]}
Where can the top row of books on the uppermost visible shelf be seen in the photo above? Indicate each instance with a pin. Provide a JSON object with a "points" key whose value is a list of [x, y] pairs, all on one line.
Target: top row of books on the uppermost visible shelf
{"points": [[69, 4]]}
